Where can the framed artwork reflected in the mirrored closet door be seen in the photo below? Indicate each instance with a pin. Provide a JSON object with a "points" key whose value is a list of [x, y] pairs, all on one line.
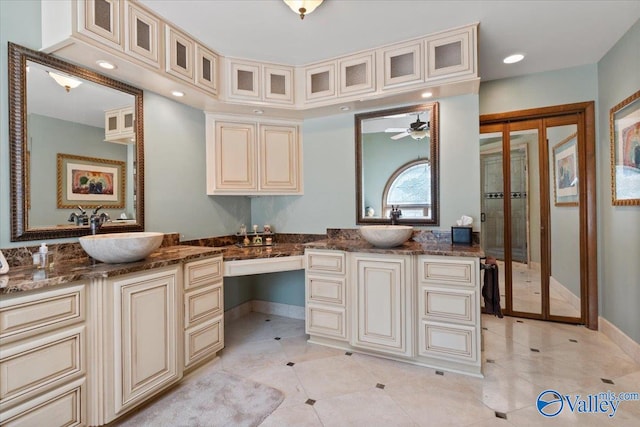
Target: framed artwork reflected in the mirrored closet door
{"points": [[565, 172]]}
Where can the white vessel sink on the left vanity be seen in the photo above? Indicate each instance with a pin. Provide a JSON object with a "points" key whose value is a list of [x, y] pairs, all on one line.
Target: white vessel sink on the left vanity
{"points": [[115, 248]]}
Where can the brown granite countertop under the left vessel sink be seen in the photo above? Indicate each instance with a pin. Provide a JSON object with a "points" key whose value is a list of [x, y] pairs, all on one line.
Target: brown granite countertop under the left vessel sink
{"points": [[29, 278]]}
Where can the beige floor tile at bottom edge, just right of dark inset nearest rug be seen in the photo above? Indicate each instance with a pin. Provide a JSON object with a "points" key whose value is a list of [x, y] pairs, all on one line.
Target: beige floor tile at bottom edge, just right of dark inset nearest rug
{"points": [[365, 408]]}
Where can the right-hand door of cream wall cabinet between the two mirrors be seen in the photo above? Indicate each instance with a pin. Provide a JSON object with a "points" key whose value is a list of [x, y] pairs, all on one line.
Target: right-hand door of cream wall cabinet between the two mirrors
{"points": [[279, 158]]}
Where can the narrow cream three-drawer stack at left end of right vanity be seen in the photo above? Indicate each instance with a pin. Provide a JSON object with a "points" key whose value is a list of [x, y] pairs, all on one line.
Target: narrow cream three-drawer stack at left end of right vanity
{"points": [[326, 294]]}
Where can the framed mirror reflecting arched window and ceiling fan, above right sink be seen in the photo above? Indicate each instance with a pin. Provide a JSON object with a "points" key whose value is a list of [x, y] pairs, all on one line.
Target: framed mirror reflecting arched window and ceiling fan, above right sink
{"points": [[397, 165]]}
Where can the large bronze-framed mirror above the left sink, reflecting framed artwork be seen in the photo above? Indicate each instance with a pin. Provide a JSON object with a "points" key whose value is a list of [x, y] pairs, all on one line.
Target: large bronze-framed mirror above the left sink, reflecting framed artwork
{"points": [[76, 145]]}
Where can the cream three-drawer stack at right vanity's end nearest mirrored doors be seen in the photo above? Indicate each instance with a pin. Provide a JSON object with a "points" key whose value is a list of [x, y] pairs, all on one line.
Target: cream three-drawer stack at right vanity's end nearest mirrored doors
{"points": [[449, 309]]}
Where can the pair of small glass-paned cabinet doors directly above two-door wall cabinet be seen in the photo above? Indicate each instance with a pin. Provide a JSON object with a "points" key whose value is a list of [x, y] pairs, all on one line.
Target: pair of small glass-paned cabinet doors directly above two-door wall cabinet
{"points": [[254, 81]]}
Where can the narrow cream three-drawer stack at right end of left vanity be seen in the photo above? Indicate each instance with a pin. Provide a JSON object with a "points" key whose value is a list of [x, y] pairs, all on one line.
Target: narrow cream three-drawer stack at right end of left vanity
{"points": [[203, 310]]}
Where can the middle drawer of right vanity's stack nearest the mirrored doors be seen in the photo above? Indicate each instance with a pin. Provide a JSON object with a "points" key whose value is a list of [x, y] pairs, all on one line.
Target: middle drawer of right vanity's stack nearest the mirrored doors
{"points": [[455, 305]]}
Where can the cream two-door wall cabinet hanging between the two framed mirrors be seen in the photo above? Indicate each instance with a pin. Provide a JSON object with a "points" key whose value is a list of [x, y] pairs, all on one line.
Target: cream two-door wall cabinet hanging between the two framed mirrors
{"points": [[251, 157]]}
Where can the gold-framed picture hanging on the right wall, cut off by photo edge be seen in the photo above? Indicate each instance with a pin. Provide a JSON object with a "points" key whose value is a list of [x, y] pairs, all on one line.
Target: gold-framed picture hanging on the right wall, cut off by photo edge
{"points": [[624, 126]]}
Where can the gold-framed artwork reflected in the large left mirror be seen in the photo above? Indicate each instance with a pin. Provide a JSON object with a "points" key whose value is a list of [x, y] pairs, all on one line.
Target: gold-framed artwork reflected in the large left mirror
{"points": [[90, 182]]}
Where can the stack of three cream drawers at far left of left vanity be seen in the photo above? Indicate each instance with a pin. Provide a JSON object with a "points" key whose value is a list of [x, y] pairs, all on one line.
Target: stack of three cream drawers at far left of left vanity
{"points": [[43, 362]]}
